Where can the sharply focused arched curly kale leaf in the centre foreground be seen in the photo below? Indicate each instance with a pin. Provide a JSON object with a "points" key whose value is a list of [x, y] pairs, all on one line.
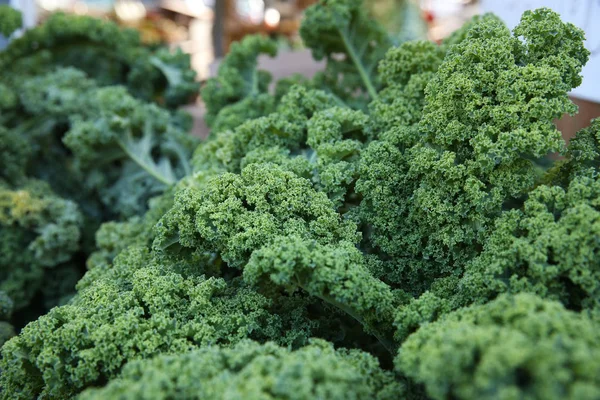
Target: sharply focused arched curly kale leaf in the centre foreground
{"points": [[273, 224]]}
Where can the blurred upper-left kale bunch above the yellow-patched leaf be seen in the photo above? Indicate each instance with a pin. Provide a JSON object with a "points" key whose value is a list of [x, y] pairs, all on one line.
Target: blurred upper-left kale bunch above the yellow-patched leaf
{"points": [[76, 76]]}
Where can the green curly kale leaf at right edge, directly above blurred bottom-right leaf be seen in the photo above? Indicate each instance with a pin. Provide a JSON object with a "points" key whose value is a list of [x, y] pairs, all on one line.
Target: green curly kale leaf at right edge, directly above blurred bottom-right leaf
{"points": [[550, 248]]}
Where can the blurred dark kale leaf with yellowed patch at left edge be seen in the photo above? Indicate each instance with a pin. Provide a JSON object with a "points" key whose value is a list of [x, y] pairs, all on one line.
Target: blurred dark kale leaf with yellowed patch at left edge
{"points": [[40, 231]]}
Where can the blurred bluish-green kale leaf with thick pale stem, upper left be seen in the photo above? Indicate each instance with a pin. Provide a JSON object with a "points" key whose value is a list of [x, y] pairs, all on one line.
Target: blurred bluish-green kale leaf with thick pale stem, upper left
{"points": [[114, 147]]}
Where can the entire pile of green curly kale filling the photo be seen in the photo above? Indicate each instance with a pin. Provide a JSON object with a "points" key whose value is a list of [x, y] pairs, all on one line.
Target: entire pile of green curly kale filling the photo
{"points": [[393, 228]]}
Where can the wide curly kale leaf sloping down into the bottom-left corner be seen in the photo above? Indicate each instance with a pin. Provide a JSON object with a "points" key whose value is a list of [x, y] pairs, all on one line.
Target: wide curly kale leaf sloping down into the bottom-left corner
{"points": [[137, 309]]}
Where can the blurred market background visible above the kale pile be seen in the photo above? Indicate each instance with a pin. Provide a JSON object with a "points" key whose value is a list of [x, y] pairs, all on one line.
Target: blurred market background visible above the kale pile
{"points": [[205, 29]]}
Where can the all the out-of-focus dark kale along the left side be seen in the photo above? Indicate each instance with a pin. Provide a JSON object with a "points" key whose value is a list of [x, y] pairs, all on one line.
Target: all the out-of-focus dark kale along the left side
{"points": [[79, 145]]}
